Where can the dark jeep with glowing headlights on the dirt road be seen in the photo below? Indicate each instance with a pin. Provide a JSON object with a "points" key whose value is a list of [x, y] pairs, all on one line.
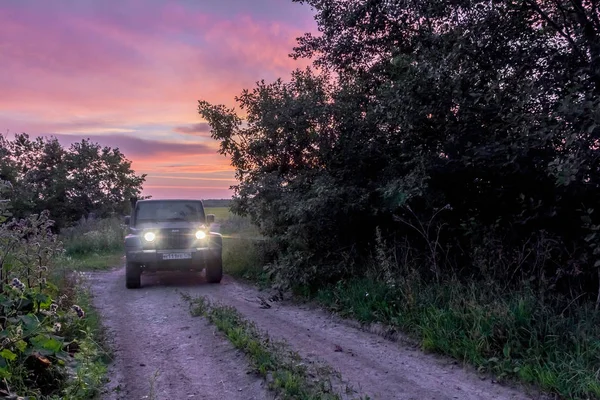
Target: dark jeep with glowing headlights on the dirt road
{"points": [[168, 235]]}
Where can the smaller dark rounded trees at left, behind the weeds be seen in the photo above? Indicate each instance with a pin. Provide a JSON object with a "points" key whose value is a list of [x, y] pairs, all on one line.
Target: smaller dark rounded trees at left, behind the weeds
{"points": [[70, 183]]}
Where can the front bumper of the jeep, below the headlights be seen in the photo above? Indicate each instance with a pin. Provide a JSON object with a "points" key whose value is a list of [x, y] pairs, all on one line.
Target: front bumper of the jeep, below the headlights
{"points": [[154, 259]]}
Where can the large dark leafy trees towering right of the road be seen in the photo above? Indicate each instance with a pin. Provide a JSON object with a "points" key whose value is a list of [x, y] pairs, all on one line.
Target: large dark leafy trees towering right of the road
{"points": [[462, 137]]}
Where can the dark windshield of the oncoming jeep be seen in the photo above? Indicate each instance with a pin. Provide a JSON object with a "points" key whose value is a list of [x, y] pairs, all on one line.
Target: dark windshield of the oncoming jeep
{"points": [[158, 211]]}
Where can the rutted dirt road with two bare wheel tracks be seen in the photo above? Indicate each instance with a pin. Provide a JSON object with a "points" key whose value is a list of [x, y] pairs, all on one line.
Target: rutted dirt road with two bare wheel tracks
{"points": [[153, 333]]}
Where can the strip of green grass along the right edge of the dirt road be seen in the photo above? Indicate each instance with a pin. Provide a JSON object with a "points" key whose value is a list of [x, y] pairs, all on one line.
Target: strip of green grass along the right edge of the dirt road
{"points": [[509, 334]]}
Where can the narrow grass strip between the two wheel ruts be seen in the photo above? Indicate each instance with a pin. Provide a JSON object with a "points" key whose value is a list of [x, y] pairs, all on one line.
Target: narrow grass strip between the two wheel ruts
{"points": [[285, 371]]}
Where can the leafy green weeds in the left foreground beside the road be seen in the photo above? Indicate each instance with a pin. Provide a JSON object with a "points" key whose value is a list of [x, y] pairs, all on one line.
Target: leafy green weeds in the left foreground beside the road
{"points": [[44, 337]]}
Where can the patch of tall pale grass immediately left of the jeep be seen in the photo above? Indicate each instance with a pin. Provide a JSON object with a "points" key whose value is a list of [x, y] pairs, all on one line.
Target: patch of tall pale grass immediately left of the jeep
{"points": [[94, 237]]}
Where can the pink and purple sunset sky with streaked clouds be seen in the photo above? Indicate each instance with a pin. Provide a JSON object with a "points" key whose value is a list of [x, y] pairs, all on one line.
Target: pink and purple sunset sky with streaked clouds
{"points": [[129, 74]]}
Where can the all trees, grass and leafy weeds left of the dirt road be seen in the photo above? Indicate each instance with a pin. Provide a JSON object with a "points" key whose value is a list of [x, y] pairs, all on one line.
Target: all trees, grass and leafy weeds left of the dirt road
{"points": [[59, 215]]}
